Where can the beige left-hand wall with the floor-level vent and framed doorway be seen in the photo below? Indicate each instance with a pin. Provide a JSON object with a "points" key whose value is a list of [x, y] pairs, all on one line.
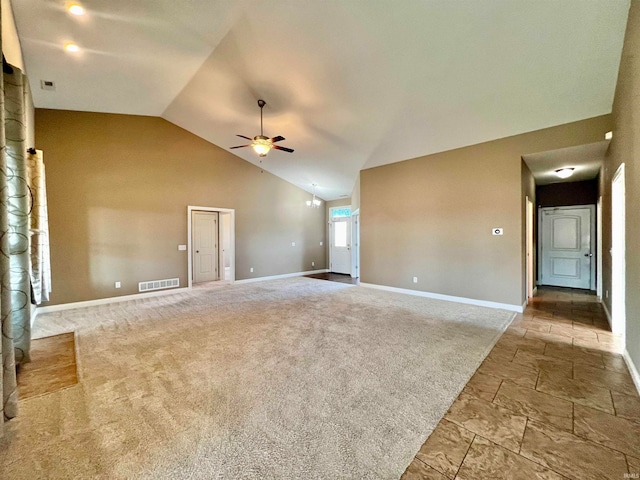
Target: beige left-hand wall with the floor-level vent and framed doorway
{"points": [[119, 187]]}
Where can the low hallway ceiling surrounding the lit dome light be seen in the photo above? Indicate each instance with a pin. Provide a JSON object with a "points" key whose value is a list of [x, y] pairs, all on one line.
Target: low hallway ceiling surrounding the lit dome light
{"points": [[585, 159]]}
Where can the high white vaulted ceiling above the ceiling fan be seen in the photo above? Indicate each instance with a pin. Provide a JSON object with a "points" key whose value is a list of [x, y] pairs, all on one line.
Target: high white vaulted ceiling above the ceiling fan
{"points": [[351, 84]]}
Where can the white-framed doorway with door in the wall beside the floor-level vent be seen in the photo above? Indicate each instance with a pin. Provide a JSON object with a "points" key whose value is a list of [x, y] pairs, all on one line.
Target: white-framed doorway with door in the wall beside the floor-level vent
{"points": [[211, 244]]}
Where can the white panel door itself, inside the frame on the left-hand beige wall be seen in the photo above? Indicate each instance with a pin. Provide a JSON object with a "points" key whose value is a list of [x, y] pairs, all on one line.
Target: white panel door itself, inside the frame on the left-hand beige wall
{"points": [[205, 246]]}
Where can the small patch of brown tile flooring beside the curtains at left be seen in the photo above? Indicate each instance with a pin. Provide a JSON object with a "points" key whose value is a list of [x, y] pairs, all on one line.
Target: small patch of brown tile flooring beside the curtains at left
{"points": [[52, 367]]}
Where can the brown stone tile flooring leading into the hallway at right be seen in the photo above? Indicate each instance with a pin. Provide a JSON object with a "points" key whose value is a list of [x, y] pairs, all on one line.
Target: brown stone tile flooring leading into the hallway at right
{"points": [[553, 400]]}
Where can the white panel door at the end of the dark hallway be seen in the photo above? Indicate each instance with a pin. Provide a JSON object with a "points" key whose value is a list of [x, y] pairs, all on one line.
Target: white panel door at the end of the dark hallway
{"points": [[566, 247]]}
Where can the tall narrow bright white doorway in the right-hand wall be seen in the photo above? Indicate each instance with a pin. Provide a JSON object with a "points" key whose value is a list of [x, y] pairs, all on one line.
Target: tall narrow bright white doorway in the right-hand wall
{"points": [[618, 228]]}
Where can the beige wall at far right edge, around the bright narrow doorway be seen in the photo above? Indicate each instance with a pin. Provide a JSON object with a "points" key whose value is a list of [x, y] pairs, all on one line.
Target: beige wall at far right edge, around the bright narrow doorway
{"points": [[625, 148]]}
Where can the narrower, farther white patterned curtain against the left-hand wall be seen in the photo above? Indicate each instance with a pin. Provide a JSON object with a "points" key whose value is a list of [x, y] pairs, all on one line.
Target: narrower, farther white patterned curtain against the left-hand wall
{"points": [[39, 223]]}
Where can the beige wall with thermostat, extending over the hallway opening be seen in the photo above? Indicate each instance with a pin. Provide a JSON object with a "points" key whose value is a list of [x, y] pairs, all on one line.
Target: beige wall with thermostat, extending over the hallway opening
{"points": [[432, 216]]}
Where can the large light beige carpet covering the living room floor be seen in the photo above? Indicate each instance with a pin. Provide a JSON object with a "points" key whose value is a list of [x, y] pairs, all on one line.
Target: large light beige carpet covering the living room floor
{"points": [[295, 378]]}
